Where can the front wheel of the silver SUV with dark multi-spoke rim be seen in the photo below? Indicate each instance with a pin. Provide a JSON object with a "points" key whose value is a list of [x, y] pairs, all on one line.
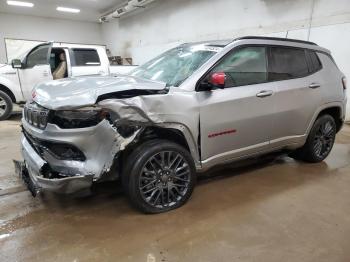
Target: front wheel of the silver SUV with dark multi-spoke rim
{"points": [[160, 176]]}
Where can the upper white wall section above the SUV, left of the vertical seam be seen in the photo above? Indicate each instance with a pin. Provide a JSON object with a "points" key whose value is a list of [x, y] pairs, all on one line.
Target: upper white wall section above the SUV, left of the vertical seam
{"points": [[175, 21]]}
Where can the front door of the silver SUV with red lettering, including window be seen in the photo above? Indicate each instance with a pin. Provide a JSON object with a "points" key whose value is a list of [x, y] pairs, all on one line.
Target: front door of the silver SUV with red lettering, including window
{"points": [[237, 119]]}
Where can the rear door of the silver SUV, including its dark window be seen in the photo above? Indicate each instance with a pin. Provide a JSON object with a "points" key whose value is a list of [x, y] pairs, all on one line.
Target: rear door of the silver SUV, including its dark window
{"points": [[295, 73]]}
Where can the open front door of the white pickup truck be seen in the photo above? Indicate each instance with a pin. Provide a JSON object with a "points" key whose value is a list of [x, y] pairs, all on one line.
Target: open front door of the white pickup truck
{"points": [[36, 69]]}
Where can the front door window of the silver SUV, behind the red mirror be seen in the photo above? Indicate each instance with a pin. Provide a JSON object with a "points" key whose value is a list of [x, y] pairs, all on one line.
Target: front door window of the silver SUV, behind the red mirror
{"points": [[245, 66]]}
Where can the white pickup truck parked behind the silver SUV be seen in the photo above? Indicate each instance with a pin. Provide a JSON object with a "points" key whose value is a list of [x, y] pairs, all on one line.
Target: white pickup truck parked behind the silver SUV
{"points": [[50, 61]]}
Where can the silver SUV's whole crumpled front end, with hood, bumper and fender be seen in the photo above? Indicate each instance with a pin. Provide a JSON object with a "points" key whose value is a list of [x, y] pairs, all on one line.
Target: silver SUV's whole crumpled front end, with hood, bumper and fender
{"points": [[71, 141]]}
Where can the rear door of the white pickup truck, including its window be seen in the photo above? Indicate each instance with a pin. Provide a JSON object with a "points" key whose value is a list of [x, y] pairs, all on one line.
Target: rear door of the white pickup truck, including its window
{"points": [[86, 61]]}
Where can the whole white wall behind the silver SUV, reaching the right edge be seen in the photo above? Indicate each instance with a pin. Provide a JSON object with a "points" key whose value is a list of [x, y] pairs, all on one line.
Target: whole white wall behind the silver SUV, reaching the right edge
{"points": [[166, 23]]}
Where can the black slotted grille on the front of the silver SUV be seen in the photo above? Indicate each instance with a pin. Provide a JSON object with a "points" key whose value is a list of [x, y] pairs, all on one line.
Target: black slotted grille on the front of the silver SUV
{"points": [[36, 115]]}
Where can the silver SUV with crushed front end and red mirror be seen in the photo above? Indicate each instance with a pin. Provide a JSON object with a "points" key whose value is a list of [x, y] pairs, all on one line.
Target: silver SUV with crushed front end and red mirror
{"points": [[189, 109]]}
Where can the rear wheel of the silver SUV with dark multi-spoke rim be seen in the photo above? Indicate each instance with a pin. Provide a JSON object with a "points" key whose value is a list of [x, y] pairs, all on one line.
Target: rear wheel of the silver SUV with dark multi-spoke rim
{"points": [[320, 141]]}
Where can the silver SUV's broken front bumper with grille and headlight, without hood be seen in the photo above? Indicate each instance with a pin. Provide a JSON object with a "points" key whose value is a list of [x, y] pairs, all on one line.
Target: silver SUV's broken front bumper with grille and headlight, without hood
{"points": [[66, 151]]}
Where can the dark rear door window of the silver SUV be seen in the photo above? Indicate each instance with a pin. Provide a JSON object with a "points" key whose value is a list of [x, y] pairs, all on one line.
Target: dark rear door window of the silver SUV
{"points": [[287, 63]]}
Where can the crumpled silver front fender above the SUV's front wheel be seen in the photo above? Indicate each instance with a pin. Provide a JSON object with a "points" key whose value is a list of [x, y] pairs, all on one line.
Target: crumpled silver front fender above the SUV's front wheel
{"points": [[160, 111]]}
